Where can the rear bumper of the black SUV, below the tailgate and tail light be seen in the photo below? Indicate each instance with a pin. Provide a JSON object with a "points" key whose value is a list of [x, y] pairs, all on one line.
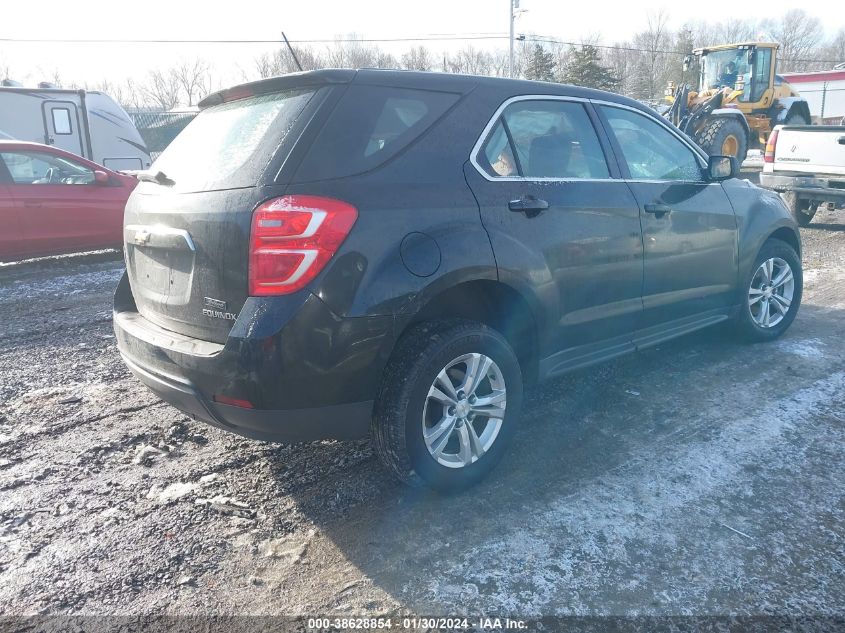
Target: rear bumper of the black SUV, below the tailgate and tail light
{"points": [[295, 398]]}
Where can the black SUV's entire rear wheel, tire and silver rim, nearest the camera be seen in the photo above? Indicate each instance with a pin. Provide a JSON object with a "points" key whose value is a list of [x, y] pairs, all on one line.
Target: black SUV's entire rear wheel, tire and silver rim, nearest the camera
{"points": [[448, 406]]}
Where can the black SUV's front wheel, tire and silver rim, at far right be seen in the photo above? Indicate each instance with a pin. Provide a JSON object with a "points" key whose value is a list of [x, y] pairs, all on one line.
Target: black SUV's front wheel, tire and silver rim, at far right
{"points": [[772, 292]]}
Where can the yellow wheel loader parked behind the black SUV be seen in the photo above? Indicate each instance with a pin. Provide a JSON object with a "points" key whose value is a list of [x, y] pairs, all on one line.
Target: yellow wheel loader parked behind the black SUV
{"points": [[739, 101]]}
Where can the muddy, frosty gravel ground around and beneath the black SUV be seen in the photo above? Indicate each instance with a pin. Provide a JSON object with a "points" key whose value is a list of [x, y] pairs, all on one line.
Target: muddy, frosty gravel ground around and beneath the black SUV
{"points": [[703, 477]]}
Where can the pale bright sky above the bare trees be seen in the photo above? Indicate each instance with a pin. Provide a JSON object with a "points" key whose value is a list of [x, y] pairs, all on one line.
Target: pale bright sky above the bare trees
{"points": [[311, 19]]}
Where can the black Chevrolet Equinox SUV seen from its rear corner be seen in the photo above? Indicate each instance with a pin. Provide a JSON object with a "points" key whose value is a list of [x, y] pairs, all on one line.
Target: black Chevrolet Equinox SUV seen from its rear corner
{"points": [[340, 253]]}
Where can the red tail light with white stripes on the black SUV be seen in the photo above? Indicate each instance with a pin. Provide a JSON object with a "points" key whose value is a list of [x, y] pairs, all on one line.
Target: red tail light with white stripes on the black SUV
{"points": [[292, 240]]}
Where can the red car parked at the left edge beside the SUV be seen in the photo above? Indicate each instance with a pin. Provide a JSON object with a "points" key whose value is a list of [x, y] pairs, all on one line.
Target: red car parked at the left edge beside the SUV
{"points": [[53, 202]]}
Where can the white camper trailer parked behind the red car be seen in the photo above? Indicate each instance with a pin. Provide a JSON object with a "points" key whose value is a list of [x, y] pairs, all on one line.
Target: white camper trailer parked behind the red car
{"points": [[89, 124]]}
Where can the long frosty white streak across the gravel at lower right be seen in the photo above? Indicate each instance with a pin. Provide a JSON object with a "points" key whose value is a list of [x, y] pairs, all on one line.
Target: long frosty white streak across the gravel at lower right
{"points": [[611, 518]]}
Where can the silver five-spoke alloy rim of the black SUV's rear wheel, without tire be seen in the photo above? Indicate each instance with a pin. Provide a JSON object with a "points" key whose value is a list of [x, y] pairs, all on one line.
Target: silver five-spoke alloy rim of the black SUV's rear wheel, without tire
{"points": [[464, 410]]}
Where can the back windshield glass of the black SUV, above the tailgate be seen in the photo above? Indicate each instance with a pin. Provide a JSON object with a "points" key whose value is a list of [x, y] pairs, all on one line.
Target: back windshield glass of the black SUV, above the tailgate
{"points": [[227, 146]]}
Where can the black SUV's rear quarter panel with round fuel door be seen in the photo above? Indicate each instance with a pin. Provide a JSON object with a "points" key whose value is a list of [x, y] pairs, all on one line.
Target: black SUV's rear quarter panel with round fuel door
{"points": [[421, 190]]}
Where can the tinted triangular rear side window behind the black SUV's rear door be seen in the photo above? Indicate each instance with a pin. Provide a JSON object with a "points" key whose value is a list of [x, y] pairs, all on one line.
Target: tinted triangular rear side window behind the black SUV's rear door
{"points": [[370, 125]]}
